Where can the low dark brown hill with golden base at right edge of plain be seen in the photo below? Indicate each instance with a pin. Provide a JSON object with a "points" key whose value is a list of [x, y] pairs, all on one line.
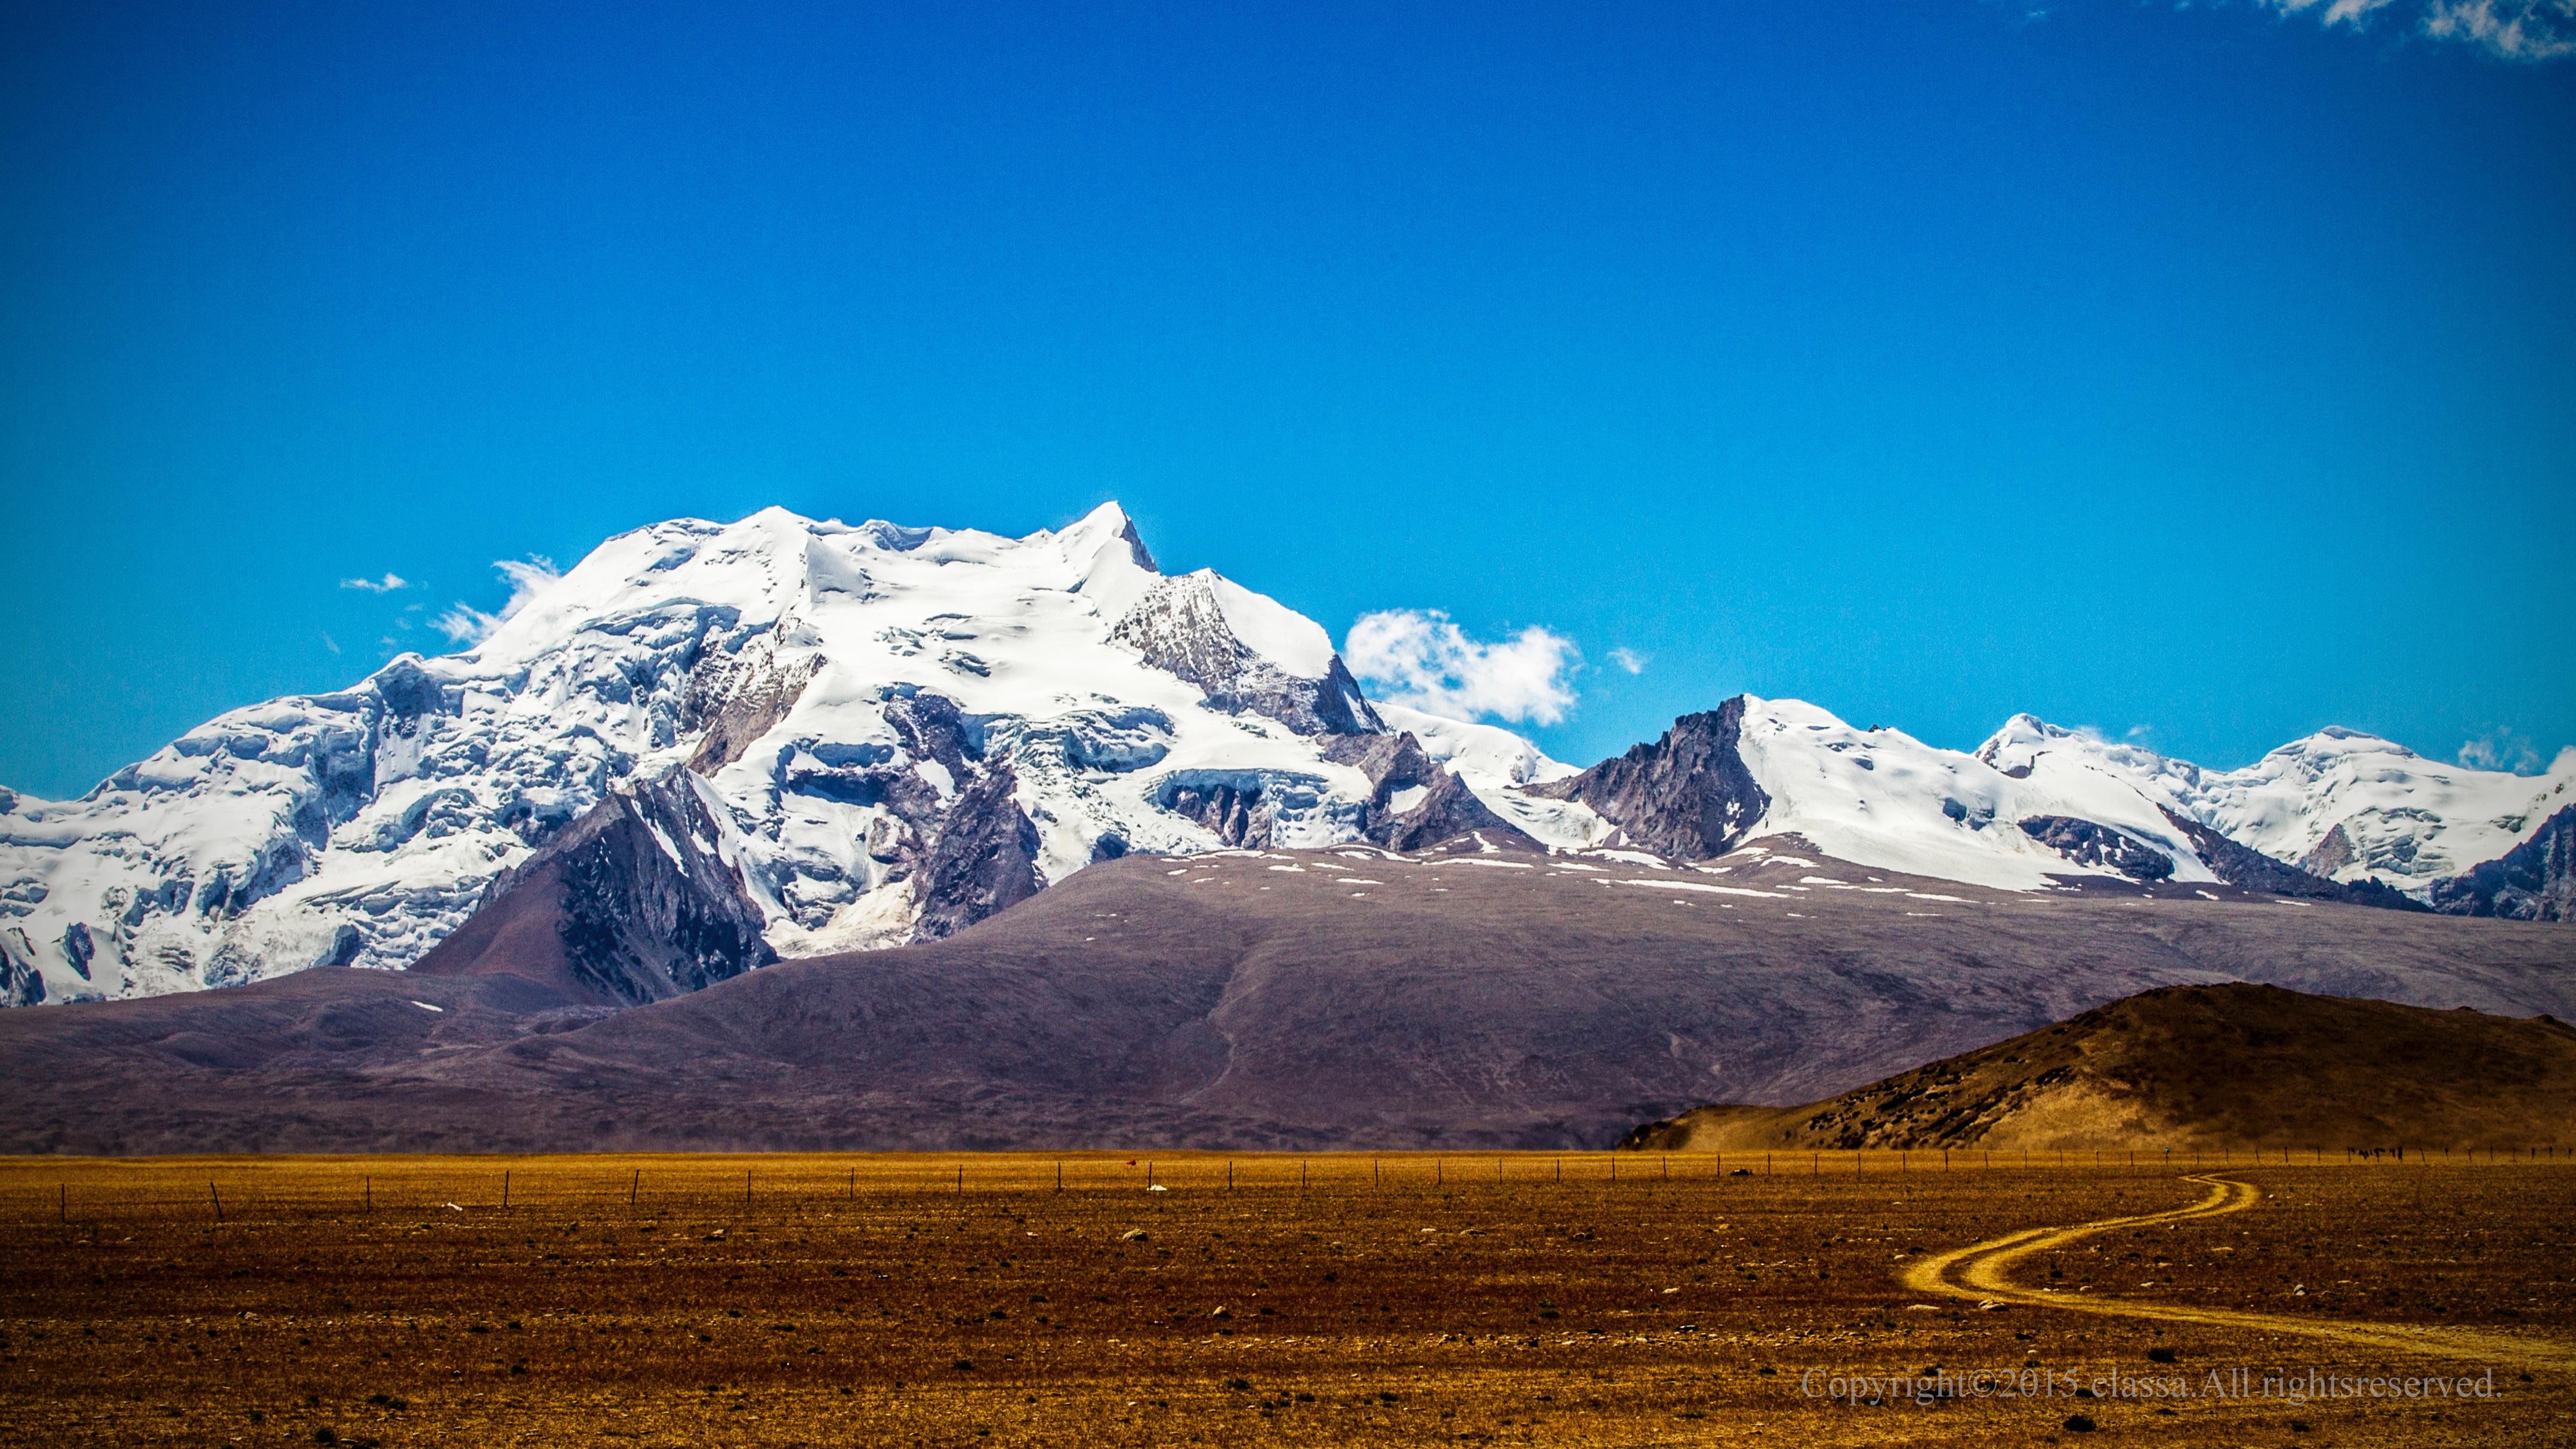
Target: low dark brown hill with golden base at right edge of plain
{"points": [[2199, 1066]]}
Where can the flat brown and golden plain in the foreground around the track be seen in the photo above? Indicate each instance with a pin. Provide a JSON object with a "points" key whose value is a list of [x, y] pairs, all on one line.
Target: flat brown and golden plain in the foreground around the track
{"points": [[1318, 1301]]}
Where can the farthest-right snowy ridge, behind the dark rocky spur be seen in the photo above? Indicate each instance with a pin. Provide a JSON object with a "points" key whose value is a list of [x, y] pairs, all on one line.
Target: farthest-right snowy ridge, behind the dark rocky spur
{"points": [[2340, 803]]}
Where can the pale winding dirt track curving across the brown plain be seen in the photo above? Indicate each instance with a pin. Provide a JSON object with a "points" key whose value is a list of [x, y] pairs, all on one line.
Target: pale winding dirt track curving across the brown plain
{"points": [[1985, 1270]]}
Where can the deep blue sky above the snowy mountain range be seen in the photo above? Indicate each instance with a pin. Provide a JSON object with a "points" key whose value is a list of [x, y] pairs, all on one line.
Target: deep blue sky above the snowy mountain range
{"points": [[2193, 373]]}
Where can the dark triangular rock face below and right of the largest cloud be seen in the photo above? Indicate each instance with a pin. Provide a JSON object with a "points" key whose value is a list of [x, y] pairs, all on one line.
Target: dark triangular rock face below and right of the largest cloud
{"points": [[1686, 795]]}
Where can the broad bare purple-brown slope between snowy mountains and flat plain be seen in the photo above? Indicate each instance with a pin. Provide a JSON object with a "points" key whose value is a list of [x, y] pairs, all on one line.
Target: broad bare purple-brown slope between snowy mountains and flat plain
{"points": [[1475, 999]]}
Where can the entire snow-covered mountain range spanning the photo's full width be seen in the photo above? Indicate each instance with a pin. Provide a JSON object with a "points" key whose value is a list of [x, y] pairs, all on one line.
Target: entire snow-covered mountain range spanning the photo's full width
{"points": [[725, 744]]}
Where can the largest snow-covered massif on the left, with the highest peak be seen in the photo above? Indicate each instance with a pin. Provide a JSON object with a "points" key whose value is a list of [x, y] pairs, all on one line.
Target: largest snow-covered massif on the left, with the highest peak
{"points": [[893, 731]]}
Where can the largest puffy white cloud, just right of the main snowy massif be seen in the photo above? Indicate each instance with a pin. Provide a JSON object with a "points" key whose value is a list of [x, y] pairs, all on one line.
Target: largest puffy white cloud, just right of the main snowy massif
{"points": [[1423, 661]]}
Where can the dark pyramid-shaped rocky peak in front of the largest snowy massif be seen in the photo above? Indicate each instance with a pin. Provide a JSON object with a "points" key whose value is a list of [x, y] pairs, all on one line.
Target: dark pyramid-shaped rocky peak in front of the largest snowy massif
{"points": [[643, 899]]}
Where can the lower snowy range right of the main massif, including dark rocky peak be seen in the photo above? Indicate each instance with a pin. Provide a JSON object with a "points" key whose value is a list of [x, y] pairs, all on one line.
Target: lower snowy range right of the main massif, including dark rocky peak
{"points": [[2039, 806]]}
